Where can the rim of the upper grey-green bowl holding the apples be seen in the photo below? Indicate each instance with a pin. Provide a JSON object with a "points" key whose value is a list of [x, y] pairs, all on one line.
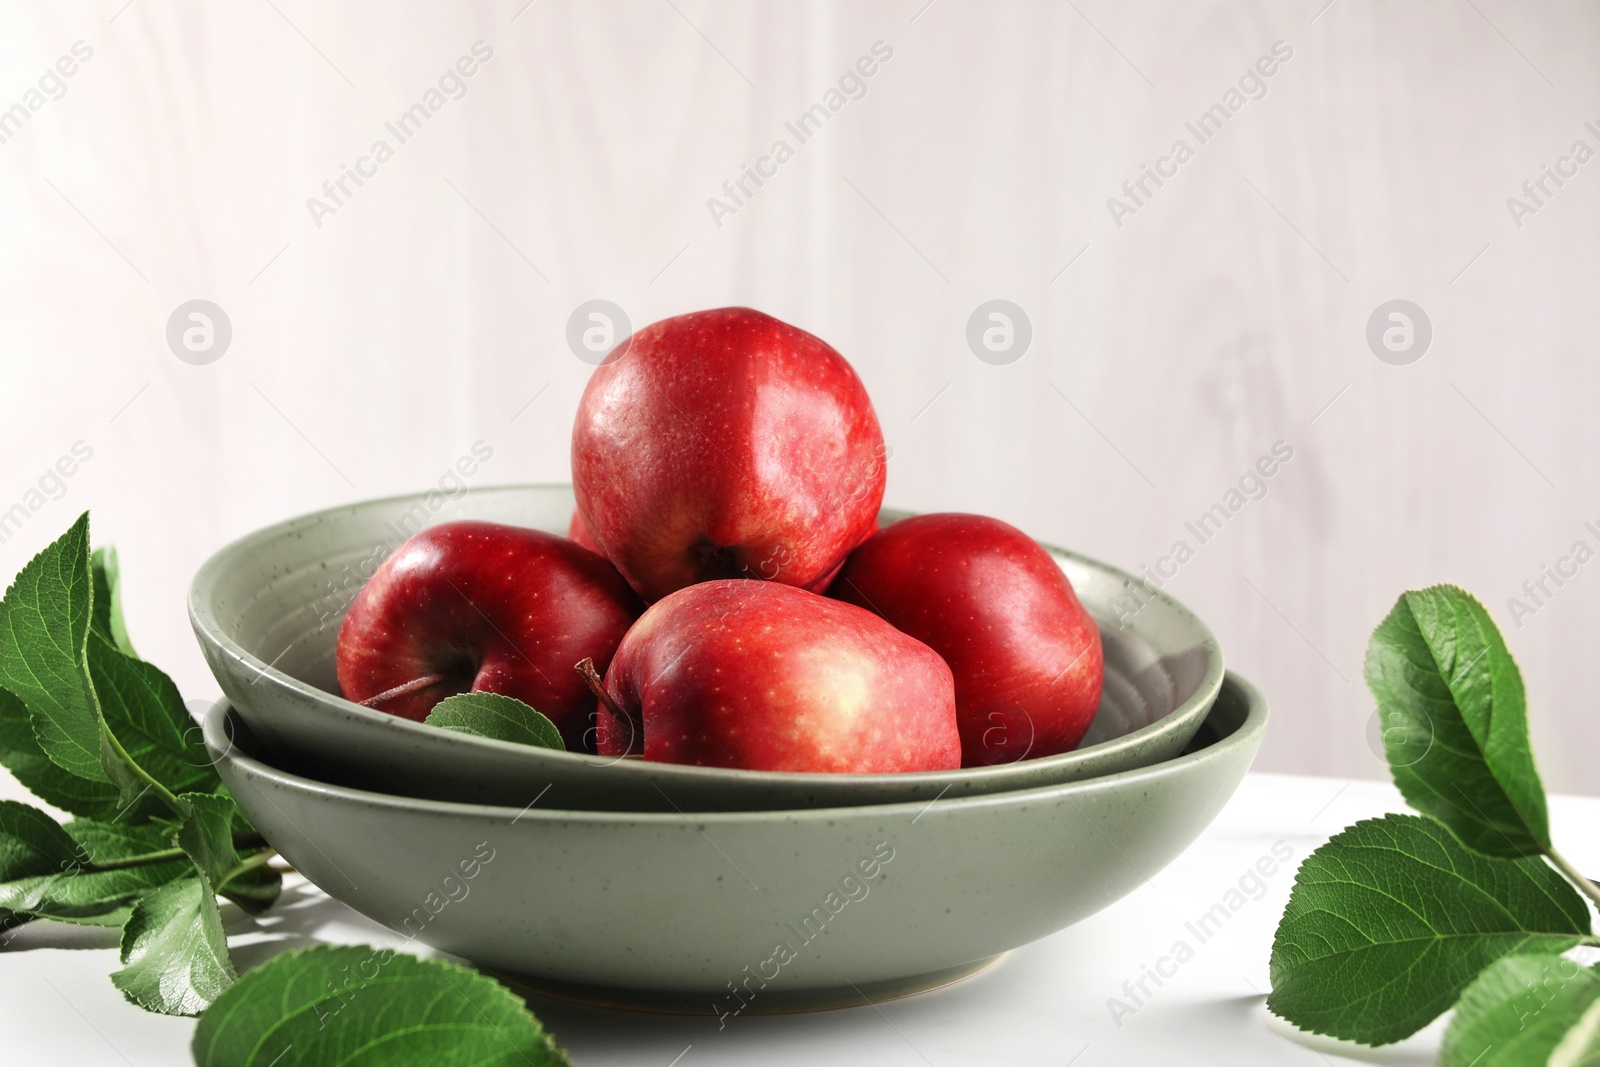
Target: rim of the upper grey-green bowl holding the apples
{"points": [[207, 628]]}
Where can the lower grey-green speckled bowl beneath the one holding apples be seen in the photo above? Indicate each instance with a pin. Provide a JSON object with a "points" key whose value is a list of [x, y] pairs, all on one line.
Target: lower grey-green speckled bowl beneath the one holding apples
{"points": [[790, 908]]}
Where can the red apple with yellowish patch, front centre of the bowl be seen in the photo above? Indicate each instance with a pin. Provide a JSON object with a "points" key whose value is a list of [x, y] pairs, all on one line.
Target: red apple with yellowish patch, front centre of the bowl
{"points": [[769, 677]]}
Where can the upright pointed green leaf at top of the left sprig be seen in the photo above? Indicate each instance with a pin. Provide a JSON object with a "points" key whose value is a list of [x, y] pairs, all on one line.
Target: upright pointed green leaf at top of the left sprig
{"points": [[44, 626]]}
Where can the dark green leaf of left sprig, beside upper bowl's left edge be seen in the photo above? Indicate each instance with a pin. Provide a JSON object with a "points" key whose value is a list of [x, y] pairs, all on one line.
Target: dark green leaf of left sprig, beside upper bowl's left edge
{"points": [[148, 716]]}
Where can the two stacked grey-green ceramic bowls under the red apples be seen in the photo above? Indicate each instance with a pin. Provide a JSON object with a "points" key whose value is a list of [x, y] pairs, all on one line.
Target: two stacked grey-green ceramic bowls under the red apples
{"points": [[681, 887]]}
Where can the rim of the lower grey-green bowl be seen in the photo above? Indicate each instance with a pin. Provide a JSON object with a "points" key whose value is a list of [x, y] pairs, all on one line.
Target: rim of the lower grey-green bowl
{"points": [[1249, 735]]}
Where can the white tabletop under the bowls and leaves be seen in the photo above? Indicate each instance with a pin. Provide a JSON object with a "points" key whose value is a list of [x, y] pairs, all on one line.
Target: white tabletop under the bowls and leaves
{"points": [[1044, 1004]]}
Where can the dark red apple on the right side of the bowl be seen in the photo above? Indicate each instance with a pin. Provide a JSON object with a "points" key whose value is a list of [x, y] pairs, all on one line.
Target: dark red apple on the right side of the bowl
{"points": [[1025, 653]]}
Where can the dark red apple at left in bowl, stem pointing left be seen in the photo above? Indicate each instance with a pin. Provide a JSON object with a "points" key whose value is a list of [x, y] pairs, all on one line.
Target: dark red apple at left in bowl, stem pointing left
{"points": [[484, 609]]}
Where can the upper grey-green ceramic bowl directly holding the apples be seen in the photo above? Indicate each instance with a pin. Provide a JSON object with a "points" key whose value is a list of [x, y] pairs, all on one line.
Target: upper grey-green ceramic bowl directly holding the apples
{"points": [[268, 610]]}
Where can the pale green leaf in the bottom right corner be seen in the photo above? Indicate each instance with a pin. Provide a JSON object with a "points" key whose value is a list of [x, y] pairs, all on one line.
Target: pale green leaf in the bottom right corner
{"points": [[1521, 1010]]}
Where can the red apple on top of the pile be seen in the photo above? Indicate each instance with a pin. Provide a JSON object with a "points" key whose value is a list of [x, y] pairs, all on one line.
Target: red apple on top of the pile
{"points": [[727, 444]]}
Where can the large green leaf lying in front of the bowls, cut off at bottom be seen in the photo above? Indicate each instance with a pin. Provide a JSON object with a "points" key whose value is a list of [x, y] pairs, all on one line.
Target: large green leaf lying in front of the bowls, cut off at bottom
{"points": [[364, 1007]]}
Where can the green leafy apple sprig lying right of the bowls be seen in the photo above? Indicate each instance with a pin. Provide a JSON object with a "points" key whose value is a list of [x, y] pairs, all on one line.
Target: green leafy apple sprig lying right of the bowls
{"points": [[1396, 921]]}
